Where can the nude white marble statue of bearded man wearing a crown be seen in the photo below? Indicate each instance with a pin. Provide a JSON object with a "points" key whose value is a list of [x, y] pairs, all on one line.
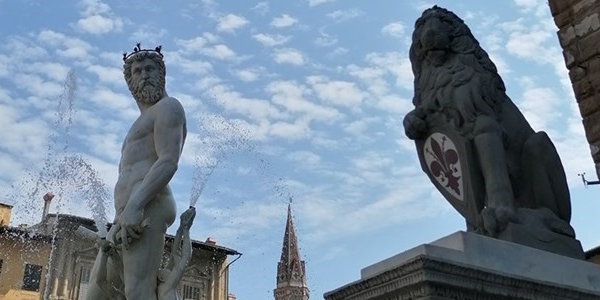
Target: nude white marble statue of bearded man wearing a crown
{"points": [[144, 204]]}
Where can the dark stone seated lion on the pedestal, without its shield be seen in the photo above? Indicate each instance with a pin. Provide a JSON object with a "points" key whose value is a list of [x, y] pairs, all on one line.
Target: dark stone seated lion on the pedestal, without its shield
{"points": [[457, 85]]}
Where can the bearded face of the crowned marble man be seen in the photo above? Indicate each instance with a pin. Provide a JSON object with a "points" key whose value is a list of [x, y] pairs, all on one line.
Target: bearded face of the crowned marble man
{"points": [[147, 83]]}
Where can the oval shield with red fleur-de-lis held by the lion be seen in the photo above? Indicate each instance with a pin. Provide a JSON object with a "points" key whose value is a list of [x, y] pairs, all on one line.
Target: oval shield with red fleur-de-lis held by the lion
{"points": [[447, 159]]}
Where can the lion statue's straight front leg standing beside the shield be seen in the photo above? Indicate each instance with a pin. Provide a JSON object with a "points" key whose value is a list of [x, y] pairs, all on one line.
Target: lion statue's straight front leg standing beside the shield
{"points": [[492, 161]]}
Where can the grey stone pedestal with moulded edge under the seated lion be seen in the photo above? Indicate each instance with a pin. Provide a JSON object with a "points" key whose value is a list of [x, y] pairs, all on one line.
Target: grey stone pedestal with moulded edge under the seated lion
{"points": [[470, 266]]}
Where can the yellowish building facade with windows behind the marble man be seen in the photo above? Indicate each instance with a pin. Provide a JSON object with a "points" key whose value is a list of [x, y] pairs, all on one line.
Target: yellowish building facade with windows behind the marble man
{"points": [[54, 259]]}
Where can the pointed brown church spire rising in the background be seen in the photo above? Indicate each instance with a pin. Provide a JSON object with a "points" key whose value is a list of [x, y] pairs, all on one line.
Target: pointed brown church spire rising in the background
{"points": [[291, 275]]}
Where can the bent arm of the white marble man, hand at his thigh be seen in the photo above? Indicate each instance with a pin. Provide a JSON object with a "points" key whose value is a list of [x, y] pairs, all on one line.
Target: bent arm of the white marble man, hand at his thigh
{"points": [[169, 134]]}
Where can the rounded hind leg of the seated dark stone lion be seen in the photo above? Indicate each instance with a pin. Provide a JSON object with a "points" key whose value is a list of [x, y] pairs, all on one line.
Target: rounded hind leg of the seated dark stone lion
{"points": [[544, 177]]}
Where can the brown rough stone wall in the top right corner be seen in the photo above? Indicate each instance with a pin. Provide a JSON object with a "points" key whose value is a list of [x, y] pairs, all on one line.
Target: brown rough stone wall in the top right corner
{"points": [[578, 22]]}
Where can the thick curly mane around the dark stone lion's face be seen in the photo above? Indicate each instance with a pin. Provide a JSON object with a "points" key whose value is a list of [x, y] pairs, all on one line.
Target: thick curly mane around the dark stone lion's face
{"points": [[435, 86]]}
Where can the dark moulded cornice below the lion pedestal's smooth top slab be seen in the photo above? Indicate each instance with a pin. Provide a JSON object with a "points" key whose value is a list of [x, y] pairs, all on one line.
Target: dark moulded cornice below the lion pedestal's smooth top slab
{"points": [[425, 276]]}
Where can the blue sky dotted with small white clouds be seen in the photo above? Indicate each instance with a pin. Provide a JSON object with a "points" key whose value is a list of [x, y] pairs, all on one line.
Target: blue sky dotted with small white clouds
{"points": [[301, 99]]}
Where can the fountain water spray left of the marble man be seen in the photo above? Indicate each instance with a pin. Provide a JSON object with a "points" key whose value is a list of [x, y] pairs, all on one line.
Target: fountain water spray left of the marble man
{"points": [[67, 175]]}
